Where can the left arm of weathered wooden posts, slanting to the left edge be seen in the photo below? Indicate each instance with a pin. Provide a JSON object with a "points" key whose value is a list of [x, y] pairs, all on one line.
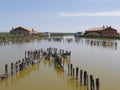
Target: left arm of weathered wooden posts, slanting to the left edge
{"points": [[31, 57]]}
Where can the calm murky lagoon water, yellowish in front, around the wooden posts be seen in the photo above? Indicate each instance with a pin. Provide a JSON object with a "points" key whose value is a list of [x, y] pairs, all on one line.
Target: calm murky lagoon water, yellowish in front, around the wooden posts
{"points": [[99, 59]]}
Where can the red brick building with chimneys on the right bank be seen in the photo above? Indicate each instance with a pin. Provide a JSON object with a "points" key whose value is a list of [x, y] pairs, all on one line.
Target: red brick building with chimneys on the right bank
{"points": [[102, 31]]}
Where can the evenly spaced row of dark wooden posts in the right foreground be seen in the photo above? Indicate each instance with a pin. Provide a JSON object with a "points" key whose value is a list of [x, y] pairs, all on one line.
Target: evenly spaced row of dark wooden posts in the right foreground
{"points": [[84, 78]]}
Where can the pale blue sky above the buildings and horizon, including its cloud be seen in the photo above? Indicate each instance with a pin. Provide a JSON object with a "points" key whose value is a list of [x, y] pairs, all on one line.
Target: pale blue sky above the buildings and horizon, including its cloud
{"points": [[59, 15]]}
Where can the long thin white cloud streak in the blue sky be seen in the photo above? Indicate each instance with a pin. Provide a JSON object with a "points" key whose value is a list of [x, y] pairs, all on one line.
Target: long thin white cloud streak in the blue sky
{"points": [[111, 13]]}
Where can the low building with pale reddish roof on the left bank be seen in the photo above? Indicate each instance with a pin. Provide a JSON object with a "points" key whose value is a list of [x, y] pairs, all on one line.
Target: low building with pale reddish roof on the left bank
{"points": [[22, 30]]}
